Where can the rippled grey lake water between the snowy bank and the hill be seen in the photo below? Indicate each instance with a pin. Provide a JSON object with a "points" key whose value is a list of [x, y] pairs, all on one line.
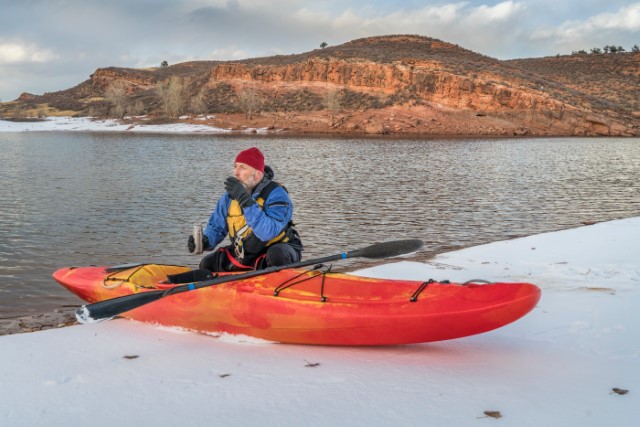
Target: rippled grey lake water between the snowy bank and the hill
{"points": [[73, 199]]}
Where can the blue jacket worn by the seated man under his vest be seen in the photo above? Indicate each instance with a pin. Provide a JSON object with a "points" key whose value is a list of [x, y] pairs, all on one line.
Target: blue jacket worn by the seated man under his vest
{"points": [[266, 223]]}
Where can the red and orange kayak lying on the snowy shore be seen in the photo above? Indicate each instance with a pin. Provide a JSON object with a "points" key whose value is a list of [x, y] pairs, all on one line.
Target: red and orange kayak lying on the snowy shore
{"points": [[313, 307]]}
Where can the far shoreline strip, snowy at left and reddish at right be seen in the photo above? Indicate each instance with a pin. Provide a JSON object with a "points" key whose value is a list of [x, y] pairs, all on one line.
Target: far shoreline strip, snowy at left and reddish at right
{"points": [[273, 125]]}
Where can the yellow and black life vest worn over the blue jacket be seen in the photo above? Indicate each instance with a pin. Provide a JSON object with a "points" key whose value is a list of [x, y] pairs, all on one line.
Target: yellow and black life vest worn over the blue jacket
{"points": [[247, 247]]}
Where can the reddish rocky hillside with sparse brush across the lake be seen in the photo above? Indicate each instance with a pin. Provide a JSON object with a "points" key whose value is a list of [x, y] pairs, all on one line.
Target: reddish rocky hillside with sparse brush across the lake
{"points": [[409, 85]]}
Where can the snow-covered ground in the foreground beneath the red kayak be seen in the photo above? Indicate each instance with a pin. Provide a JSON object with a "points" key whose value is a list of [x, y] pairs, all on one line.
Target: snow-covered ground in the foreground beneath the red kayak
{"points": [[573, 361]]}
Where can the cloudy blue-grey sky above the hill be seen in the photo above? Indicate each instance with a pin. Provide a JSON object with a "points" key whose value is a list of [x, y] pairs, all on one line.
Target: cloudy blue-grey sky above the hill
{"points": [[51, 45]]}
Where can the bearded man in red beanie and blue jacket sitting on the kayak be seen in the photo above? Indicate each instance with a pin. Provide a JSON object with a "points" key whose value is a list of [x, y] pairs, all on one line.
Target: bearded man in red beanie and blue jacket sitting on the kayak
{"points": [[256, 213]]}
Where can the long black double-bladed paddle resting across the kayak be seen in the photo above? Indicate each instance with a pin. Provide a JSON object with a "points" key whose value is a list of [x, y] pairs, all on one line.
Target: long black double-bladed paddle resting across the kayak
{"points": [[103, 310]]}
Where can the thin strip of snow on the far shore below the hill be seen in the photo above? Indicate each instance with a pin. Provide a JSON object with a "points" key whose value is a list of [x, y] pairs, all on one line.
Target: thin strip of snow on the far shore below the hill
{"points": [[88, 124]]}
